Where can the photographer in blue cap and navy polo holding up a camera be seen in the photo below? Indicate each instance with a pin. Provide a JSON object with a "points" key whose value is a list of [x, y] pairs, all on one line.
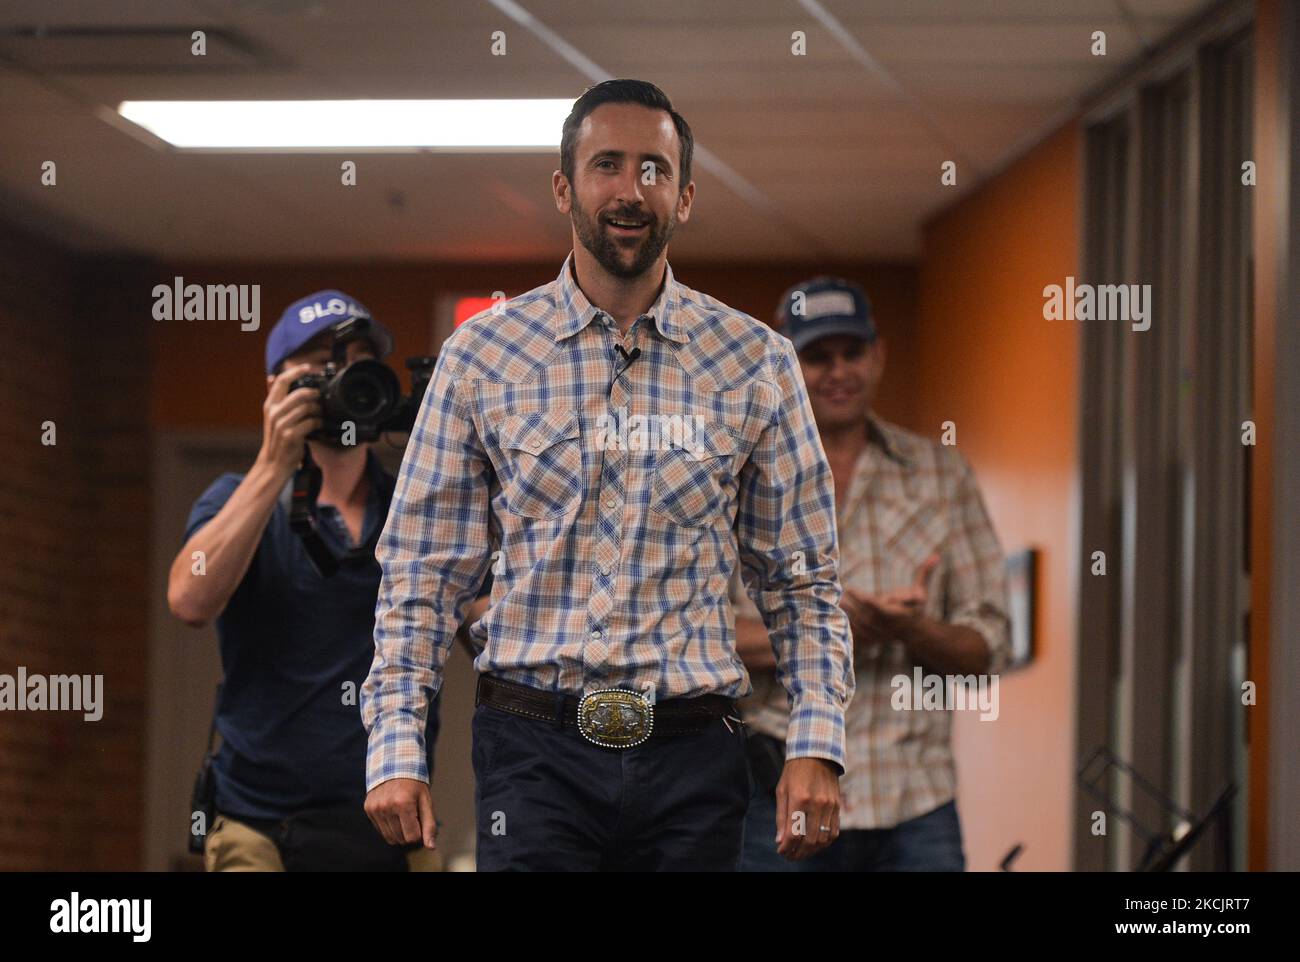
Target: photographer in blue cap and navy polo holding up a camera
{"points": [[296, 645]]}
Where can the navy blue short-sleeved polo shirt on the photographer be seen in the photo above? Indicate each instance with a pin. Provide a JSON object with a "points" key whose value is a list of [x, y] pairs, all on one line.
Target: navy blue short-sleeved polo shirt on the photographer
{"points": [[291, 644]]}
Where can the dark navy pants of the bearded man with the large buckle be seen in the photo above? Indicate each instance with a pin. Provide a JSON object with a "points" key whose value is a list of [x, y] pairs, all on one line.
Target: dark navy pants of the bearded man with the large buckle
{"points": [[548, 800]]}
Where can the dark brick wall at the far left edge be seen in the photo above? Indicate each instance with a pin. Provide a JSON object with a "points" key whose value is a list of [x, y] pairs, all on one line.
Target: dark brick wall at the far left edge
{"points": [[75, 536]]}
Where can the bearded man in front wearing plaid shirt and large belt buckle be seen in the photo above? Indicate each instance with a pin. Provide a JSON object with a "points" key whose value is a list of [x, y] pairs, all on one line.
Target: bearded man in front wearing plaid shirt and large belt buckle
{"points": [[613, 445]]}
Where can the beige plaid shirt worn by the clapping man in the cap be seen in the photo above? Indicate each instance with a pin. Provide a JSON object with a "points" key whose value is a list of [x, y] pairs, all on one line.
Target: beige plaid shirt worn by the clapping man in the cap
{"points": [[909, 499]]}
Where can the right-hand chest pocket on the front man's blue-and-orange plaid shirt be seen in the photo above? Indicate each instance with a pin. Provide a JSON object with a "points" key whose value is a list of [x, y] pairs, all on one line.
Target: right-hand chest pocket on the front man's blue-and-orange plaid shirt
{"points": [[695, 483]]}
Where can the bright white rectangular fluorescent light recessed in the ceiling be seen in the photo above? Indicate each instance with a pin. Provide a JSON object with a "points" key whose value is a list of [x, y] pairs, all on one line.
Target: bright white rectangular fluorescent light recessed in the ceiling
{"points": [[323, 125]]}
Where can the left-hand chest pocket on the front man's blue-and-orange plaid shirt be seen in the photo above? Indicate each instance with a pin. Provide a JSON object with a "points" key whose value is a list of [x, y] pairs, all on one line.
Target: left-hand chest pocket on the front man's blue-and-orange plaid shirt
{"points": [[543, 462]]}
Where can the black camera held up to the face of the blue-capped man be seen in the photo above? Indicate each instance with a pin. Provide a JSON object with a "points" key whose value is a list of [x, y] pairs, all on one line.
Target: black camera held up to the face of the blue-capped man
{"points": [[365, 395]]}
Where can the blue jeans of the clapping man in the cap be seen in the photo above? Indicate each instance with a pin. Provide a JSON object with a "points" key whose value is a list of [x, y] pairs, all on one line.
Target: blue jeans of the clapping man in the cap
{"points": [[930, 843]]}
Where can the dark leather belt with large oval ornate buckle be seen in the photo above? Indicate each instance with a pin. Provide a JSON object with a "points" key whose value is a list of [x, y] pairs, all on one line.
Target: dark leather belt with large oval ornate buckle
{"points": [[612, 718]]}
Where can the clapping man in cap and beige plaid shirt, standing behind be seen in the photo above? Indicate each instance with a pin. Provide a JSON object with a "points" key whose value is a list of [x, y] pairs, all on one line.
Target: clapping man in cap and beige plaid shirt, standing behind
{"points": [[925, 586]]}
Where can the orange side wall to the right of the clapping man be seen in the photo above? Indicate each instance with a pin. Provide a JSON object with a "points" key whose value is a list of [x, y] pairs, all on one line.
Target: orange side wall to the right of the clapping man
{"points": [[986, 359]]}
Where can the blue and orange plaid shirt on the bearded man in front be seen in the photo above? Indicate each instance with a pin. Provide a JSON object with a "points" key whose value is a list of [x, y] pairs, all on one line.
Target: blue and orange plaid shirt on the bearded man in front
{"points": [[612, 505]]}
